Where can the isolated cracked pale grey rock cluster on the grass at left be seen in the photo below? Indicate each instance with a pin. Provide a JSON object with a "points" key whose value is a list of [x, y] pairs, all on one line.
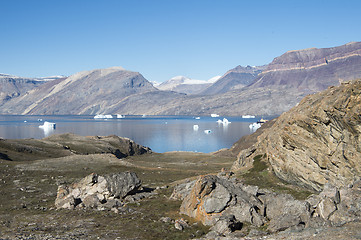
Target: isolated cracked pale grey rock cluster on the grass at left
{"points": [[100, 192]]}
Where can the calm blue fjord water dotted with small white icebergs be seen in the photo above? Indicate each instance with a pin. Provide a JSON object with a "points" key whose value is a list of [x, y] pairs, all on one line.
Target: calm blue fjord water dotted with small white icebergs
{"points": [[160, 133]]}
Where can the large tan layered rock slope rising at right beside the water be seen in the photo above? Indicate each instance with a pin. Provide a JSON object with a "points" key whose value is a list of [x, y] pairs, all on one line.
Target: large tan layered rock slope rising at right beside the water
{"points": [[316, 142]]}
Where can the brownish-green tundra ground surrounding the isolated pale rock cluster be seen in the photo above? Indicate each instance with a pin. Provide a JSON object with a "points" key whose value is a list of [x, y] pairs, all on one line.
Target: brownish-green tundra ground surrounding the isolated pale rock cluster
{"points": [[28, 192]]}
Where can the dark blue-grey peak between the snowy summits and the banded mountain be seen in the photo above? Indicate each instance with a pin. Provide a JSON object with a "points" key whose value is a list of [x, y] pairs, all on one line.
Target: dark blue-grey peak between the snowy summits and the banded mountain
{"points": [[233, 79]]}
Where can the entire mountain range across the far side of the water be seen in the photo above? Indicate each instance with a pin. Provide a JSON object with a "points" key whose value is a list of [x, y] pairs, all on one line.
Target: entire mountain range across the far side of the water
{"points": [[266, 90]]}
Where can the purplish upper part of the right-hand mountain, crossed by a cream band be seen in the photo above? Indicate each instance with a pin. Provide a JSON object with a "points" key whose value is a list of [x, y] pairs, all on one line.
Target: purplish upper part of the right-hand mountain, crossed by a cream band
{"points": [[312, 70]]}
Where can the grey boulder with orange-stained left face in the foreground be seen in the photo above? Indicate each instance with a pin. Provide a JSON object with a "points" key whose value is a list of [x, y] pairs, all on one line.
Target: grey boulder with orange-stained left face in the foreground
{"points": [[212, 197]]}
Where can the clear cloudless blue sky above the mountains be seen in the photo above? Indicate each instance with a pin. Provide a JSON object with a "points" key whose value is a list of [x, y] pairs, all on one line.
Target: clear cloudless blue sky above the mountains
{"points": [[165, 38]]}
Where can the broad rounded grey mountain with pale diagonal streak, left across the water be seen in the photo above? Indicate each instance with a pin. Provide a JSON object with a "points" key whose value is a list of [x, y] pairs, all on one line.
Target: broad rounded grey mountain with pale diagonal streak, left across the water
{"points": [[88, 92]]}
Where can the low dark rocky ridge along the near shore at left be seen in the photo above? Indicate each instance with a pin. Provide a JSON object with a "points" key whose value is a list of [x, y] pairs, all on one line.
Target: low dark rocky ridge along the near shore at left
{"points": [[67, 144]]}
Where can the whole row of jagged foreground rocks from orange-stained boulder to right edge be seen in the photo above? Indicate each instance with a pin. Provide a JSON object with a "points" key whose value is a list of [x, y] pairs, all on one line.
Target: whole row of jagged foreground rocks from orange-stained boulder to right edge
{"points": [[226, 204]]}
